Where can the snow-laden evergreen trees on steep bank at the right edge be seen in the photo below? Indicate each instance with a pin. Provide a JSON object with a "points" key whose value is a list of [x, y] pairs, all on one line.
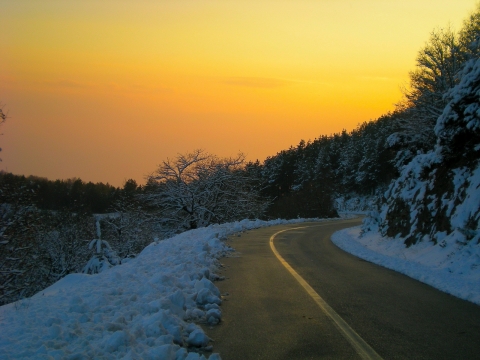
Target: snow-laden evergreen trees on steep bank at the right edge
{"points": [[438, 193]]}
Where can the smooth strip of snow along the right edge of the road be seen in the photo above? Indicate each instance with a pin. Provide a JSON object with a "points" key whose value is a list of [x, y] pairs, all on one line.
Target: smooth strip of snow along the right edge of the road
{"points": [[451, 266]]}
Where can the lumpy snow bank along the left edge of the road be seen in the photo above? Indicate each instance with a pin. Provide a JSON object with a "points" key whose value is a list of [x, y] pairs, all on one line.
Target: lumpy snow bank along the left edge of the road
{"points": [[147, 308]]}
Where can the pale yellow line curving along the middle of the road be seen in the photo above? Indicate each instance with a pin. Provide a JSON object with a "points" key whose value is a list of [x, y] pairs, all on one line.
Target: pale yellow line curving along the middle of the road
{"points": [[361, 347]]}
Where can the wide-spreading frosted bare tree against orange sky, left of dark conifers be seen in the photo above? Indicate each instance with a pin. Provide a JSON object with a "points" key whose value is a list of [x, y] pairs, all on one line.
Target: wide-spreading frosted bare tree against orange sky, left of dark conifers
{"points": [[198, 189]]}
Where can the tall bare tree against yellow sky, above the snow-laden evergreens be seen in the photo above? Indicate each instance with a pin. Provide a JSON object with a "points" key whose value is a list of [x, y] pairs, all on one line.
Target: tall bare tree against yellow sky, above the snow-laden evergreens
{"points": [[438, 62]]}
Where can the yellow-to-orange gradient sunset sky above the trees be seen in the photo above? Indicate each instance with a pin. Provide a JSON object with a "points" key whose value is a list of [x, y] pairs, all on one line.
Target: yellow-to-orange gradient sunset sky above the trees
{"points": [[105, 90]]}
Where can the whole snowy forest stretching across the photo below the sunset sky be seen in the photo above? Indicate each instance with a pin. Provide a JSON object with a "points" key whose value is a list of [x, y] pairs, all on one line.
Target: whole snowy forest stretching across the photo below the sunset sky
{"points": [[418, 164]]}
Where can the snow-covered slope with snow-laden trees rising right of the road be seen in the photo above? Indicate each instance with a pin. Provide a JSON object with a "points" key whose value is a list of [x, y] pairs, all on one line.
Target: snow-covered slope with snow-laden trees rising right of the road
{"points": [[429, 226]]}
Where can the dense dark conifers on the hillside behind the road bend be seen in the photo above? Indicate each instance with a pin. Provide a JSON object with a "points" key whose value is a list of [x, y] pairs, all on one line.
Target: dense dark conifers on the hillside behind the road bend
{"points": [[344, 164]]}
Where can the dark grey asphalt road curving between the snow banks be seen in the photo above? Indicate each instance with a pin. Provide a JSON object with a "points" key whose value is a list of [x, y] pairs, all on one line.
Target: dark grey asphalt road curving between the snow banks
{"points": [[267, 314]]}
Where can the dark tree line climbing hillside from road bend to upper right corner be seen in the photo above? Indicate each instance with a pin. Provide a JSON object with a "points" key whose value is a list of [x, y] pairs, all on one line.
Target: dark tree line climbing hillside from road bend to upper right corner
{"points": [[368, 159]]}
